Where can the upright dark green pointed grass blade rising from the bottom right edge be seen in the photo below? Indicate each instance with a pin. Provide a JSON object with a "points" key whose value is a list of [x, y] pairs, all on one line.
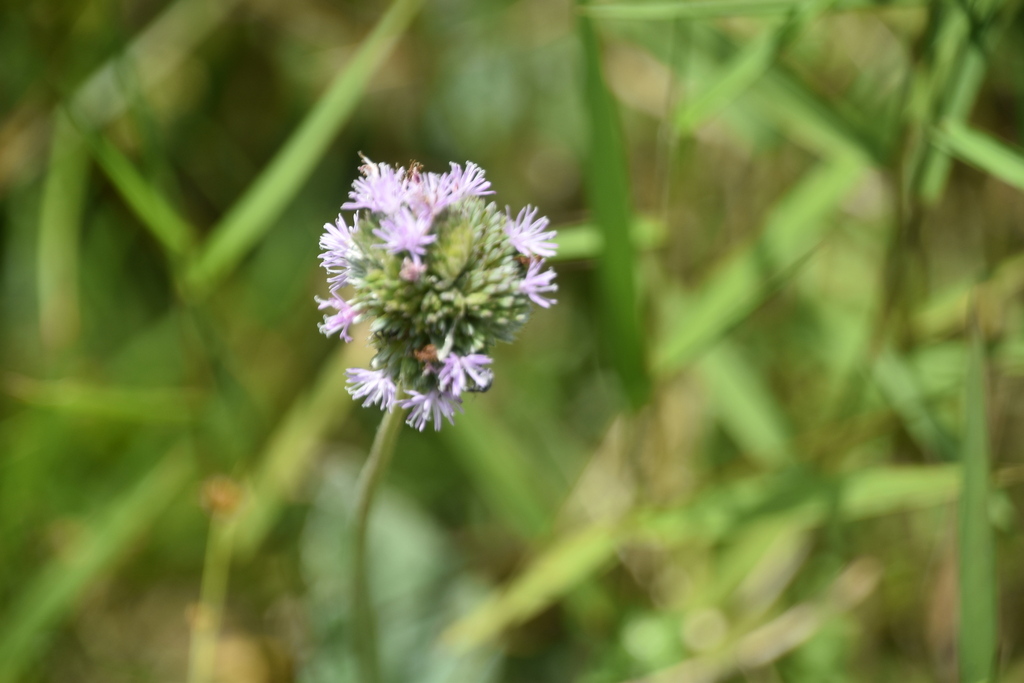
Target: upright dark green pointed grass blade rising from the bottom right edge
{"points": [[978, 591]]}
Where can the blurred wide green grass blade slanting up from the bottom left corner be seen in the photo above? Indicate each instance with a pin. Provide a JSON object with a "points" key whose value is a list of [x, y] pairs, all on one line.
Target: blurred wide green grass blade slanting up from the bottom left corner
{"points": [[53, 594]]}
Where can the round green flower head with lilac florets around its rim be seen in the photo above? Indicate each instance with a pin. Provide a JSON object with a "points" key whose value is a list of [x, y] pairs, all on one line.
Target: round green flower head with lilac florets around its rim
{"points": [[443, 274]]}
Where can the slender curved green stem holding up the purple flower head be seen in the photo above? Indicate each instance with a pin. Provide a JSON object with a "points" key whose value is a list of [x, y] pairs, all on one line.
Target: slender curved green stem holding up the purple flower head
{"points": [[363, 611]]}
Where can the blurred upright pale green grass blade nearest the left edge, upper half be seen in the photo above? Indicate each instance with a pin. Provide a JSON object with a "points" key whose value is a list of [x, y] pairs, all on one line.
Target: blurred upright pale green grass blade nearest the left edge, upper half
{"points": [[58, 254]]}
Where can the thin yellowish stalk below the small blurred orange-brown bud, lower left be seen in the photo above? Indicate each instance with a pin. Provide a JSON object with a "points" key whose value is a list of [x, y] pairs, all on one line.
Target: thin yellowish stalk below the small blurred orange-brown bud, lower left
{"points": [[207, 620]]}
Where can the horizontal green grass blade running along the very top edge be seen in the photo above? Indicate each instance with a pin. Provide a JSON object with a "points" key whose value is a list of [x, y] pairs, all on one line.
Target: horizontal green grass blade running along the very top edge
{"points": [[709, 10]]}
